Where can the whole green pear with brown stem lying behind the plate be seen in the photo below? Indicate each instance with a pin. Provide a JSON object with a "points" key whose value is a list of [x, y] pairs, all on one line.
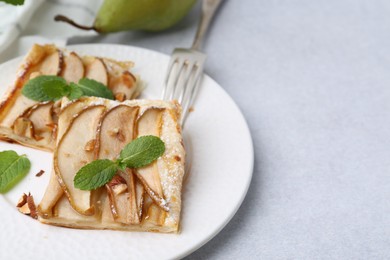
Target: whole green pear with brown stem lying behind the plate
{"points": [[148, 15]]}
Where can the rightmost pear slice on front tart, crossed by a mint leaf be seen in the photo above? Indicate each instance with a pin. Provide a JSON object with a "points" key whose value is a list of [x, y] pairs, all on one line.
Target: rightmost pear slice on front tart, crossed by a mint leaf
{"points": [[150, 123]]}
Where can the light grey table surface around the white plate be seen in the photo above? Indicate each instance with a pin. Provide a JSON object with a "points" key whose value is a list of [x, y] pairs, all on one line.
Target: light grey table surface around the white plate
{"points": [[313, 81]]}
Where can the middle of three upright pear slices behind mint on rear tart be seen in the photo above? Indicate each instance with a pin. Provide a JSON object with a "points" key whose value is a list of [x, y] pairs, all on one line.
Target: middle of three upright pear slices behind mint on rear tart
{"points": [[73, 69]]}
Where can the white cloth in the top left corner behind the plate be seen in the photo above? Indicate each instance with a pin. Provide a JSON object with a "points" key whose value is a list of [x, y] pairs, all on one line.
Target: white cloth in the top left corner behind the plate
{"points": [[33, 22]]}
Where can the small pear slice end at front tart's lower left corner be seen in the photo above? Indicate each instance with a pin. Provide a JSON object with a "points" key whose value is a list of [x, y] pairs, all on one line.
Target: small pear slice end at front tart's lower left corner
{"points": [[52, 194]]}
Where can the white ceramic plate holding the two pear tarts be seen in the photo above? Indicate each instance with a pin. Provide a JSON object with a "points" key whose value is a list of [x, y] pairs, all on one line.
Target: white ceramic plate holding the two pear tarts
{"points": [[222, 165]]}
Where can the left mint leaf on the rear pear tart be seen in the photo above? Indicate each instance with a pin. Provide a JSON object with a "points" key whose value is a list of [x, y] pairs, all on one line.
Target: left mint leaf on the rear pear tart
{"points": [[45, 88]]}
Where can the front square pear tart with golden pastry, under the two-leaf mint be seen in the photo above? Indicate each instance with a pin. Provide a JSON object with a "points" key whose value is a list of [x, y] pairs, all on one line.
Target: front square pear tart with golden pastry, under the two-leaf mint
{"points": [[143, 199]]}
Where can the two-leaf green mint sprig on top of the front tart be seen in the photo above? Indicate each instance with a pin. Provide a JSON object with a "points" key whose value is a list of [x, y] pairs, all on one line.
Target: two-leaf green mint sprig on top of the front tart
{"points": [[139, 153]]}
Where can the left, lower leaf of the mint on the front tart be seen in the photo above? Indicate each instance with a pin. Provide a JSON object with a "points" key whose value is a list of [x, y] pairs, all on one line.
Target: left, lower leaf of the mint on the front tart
{"points": [[95, 174]]}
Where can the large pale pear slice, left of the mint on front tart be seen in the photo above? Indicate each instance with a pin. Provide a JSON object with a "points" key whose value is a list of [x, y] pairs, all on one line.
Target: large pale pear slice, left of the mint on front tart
{"points": [[70, 156]]}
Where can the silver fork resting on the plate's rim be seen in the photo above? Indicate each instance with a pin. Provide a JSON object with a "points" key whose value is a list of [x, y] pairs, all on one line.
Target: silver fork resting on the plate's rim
{"points": [[185, 69]]}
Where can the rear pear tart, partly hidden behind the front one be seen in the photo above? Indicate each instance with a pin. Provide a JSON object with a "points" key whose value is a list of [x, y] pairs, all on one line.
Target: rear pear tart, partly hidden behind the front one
{"points": [[34, 124]]}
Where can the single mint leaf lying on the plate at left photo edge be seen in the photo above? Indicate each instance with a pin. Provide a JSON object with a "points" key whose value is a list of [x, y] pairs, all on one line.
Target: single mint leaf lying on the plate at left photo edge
{"points": [[12, 169]]}
